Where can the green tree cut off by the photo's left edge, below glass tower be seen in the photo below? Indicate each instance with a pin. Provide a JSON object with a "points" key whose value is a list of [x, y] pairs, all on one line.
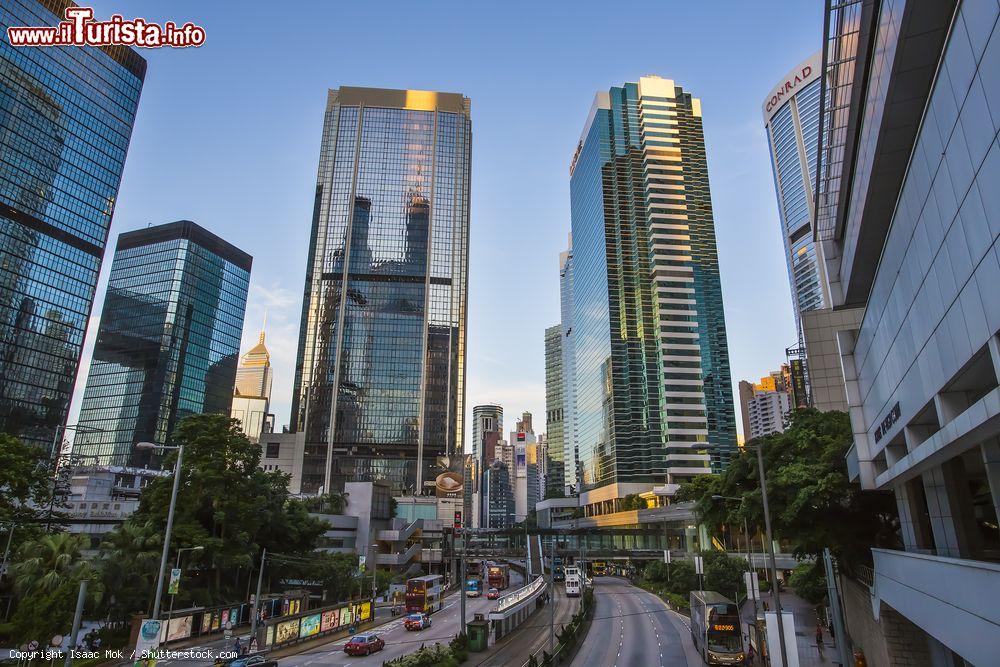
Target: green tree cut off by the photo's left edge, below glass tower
{"points": [[25, 484]]}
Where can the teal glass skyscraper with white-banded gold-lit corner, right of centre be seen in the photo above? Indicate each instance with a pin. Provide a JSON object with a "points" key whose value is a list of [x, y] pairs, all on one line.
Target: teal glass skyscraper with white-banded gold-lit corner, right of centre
{"points": [[653, 394]]}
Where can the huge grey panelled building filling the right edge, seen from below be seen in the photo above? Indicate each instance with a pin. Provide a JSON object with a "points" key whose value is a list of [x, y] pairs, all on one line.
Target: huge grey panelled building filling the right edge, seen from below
{"points": [[908, 212]]}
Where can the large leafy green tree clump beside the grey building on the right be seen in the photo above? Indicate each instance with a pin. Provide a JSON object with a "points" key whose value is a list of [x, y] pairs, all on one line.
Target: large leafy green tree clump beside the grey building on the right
{"points": [[813, 503]]}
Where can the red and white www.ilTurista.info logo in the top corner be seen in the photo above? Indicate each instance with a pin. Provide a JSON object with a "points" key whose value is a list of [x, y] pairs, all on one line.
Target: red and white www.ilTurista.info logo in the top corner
{"points": [[80, 29]]}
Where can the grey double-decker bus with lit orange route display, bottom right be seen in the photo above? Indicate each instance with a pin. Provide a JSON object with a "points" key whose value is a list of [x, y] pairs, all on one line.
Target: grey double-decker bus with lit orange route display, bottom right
{"points": [[715, 628]]}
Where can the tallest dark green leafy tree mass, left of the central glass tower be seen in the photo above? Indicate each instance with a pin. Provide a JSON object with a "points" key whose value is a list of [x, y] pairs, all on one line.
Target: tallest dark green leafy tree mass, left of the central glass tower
{"points": [[228, 506]]}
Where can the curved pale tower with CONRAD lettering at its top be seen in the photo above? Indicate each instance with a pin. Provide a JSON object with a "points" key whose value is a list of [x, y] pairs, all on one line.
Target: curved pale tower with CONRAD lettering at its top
{"points": [[791, 120]]}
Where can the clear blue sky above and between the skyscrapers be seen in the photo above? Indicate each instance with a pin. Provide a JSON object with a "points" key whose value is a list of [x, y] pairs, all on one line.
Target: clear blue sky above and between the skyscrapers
{"points": [[228, 135]]}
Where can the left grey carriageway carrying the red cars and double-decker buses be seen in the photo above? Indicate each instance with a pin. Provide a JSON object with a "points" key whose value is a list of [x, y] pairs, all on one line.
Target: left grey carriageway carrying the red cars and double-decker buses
{"points": [[398, 640]]}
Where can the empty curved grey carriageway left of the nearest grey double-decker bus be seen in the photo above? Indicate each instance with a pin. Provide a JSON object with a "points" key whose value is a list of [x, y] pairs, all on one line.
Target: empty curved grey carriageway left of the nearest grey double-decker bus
{"points": [[634, 628]]}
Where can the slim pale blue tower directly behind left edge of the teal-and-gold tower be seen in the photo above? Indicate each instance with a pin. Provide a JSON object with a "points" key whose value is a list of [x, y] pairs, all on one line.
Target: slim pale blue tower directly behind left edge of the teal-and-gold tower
{"points": [[570, 449]]}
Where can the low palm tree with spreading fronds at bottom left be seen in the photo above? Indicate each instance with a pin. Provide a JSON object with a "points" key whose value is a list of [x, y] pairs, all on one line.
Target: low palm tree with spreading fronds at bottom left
{"points": [[44, 564]]}
